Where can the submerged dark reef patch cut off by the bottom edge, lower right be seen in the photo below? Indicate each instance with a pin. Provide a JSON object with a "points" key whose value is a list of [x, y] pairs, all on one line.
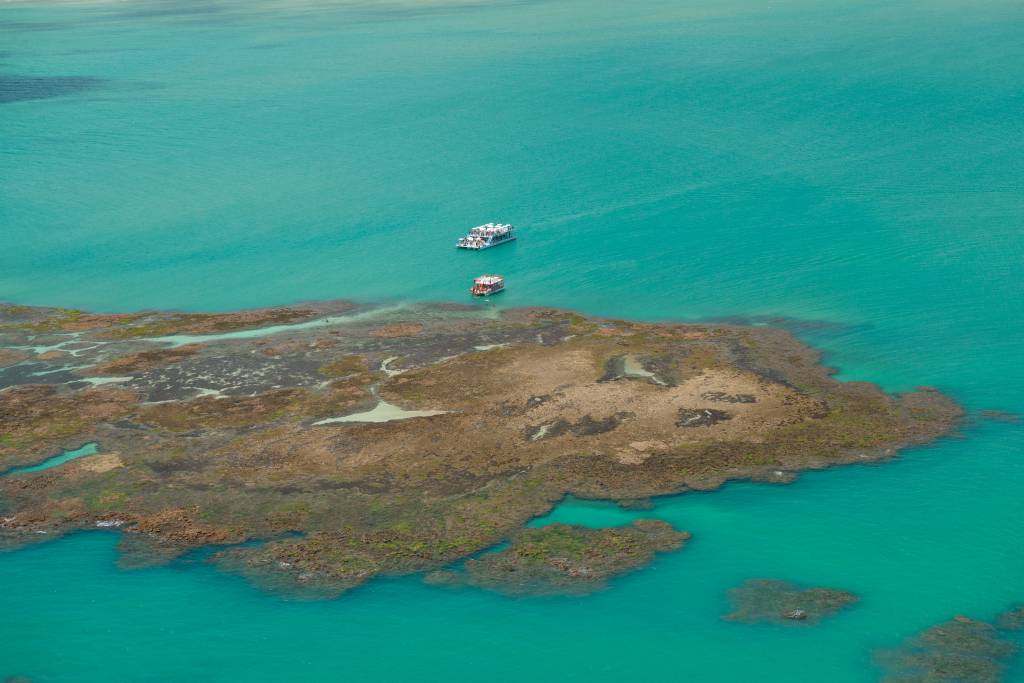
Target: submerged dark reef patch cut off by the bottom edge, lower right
{"points": [[961, 651]]}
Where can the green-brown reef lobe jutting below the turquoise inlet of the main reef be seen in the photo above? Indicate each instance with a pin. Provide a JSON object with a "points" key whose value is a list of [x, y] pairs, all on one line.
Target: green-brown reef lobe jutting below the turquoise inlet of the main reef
{"points": [[563, 560]]}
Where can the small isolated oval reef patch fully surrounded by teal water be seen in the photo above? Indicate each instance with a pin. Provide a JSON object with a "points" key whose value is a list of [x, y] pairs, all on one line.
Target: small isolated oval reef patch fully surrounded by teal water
{"points": [[772, 601]]}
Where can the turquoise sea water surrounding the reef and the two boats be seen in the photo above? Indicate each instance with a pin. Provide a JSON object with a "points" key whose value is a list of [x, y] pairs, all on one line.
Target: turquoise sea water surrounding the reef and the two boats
{"points": [[855, 167]]}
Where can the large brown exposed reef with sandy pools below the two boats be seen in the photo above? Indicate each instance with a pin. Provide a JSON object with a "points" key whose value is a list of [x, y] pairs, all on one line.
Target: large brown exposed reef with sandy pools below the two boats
{"points": [[314, 448]]}
